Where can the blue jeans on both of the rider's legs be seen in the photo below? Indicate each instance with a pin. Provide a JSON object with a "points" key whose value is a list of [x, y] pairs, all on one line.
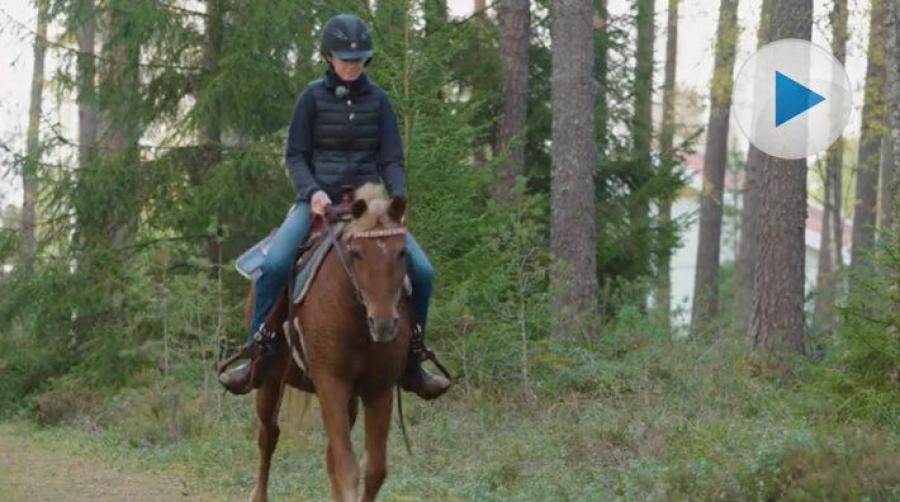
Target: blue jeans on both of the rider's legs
{"points": [[276, 267]]}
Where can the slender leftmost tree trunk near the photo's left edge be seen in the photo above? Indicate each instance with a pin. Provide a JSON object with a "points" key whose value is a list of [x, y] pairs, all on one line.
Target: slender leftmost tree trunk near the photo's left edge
{"points": [[32, 148]]}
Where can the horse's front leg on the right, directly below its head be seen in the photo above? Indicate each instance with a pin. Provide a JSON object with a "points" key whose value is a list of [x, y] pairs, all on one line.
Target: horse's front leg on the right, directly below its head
{"points": [[378, 422]]}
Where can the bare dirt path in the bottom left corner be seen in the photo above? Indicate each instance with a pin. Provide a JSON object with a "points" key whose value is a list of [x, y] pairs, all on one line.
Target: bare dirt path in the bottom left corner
{"points": [[31, 472]]}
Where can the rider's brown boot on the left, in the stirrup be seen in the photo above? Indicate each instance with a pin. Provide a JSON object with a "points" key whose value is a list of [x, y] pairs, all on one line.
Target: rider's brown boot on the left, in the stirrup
{"points": [[254, 356]]}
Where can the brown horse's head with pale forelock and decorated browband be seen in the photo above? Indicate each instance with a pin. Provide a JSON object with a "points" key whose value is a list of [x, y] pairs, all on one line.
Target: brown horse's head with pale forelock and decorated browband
{"points": [[375, 245]]}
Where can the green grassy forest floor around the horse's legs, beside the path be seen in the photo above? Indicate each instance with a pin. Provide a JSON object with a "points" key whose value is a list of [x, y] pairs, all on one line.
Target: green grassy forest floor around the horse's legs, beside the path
{"points": [[631, 418]]}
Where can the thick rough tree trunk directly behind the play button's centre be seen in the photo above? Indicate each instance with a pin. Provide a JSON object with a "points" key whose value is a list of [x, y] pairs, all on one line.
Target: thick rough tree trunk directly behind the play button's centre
{"points": [[777, 323]]}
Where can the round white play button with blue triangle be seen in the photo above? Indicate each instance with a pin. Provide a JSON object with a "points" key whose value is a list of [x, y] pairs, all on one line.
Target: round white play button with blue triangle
{"points": [[792, 99]]}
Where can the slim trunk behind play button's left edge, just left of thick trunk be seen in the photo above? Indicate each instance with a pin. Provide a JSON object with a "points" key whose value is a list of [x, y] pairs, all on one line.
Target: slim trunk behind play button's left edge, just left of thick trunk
{"points": [[748, 242]]}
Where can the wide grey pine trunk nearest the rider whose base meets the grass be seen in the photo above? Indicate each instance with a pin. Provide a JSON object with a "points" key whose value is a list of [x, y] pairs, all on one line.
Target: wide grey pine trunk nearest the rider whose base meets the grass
{"points": [[572, 228]]}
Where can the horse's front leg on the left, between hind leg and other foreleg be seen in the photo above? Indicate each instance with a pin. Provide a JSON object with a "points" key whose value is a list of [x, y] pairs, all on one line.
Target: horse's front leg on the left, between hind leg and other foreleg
{"points": [[334, 398]]}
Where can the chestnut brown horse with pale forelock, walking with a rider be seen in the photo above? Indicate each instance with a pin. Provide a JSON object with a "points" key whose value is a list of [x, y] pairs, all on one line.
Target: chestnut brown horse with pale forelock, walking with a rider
{"points": [[355, 331]]}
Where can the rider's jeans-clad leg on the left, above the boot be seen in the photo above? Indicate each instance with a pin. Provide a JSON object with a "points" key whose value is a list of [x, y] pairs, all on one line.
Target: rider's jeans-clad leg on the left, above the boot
{"points": [[277, 264]]}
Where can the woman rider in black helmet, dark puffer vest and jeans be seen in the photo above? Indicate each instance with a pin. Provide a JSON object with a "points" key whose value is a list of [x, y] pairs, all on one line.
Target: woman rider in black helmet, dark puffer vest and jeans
{"points": [[343, 133]]}
